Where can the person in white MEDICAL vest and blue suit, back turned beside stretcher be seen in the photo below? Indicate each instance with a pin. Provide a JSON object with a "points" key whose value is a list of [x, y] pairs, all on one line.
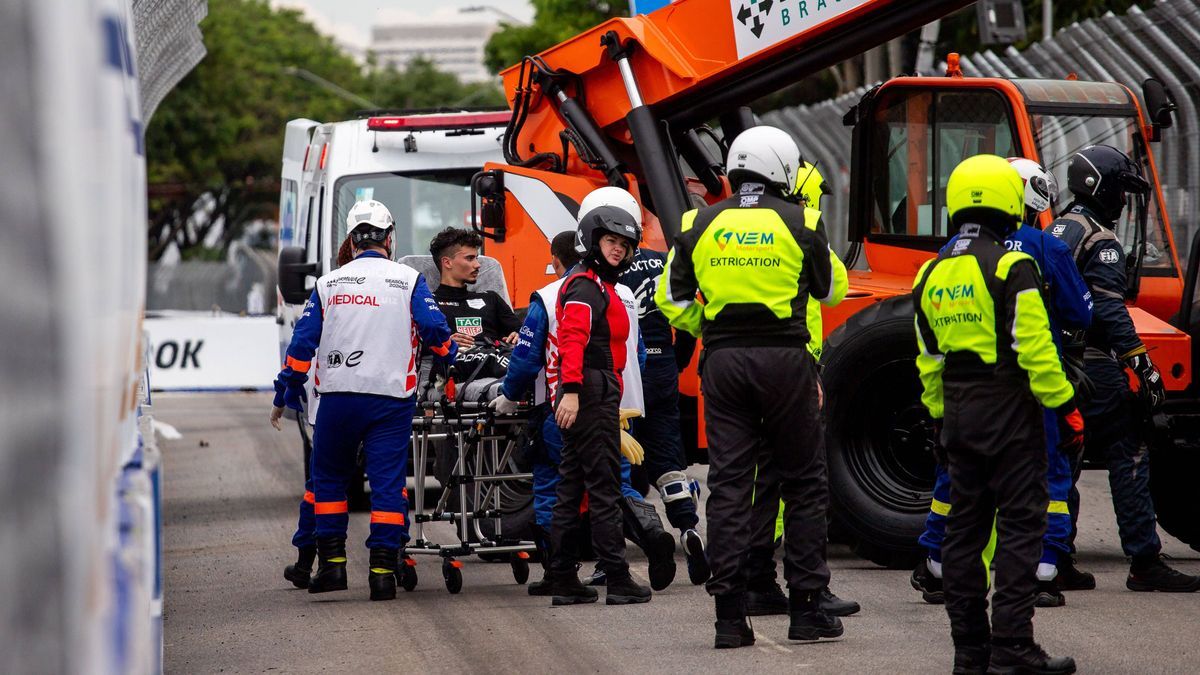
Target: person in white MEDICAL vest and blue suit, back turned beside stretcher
{"points": [[365, 320]]}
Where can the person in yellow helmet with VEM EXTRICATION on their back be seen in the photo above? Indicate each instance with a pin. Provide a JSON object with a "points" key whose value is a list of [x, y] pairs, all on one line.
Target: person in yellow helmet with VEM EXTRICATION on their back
{"points": [[987, 360]]}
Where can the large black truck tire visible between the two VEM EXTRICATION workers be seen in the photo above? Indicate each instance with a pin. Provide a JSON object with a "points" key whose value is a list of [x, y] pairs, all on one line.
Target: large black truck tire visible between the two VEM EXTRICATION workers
{"points": [[880, 437]]}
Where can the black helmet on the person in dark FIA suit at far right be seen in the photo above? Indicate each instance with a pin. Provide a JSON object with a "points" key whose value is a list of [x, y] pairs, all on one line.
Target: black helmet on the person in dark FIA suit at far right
{"points": [[1101, 176]]}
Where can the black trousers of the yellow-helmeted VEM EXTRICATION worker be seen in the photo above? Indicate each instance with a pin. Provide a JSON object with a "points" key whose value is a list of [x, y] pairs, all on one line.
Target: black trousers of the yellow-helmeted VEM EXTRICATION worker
{"points": [[998, 464]]}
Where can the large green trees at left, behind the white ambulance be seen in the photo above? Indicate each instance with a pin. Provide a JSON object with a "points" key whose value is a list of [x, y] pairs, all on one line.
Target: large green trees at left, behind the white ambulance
{"points": [[215, 145]]}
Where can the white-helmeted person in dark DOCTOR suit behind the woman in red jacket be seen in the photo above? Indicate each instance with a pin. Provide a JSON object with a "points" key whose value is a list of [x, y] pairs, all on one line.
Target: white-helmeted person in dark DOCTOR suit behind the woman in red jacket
{"points": [[659, 432]]}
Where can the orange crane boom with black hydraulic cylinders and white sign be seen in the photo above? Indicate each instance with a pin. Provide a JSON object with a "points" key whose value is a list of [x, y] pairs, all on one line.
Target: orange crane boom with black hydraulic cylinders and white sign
{"points": [[611, 89]]}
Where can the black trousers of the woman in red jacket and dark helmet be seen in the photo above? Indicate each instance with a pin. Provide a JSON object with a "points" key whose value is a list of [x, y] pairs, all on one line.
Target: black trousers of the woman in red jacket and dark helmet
{"points": [[591, 465]]}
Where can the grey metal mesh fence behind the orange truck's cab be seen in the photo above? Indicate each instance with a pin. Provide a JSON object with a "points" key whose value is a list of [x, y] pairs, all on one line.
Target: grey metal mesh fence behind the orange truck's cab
{"points": [[1162, 43]]}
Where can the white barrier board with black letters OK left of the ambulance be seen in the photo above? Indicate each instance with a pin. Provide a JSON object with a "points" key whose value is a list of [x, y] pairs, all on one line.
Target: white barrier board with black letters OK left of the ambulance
{"points": [[213, 353]]}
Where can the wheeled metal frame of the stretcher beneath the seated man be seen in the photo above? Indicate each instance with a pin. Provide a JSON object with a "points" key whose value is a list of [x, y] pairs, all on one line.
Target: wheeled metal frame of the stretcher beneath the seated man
{"points": [[482, 446]]}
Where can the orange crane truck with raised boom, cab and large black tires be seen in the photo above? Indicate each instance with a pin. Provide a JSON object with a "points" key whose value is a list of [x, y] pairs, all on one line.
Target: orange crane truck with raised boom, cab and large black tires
{"points": [[629, 103]]}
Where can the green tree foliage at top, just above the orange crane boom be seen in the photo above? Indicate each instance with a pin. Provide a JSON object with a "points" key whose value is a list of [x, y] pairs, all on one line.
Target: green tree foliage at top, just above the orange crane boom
{"points": [[555, 21]]}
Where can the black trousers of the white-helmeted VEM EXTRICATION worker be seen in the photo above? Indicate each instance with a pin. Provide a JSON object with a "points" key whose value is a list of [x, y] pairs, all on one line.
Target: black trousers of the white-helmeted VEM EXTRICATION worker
{"points": [[760, 408]]}
